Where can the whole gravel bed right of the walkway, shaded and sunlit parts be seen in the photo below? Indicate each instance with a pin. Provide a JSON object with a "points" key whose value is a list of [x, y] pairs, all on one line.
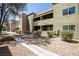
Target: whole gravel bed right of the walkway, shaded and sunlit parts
{"points": [[56, 45]]}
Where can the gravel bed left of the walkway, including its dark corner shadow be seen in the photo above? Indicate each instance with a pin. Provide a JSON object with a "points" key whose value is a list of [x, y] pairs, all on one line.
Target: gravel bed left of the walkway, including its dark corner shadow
{"points": [[14, 50]]}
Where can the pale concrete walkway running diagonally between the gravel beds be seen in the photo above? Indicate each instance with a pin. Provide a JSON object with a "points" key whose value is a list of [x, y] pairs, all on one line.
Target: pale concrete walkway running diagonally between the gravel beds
{"points": [[35, 49]]}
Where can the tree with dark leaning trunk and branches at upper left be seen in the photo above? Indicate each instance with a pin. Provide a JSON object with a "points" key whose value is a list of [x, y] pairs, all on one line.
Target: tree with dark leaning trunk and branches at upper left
{"points": [[9, 9]]}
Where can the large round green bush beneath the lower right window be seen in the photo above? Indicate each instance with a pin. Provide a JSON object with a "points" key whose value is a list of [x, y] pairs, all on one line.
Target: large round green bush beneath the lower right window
{"points": [[67, 35]]}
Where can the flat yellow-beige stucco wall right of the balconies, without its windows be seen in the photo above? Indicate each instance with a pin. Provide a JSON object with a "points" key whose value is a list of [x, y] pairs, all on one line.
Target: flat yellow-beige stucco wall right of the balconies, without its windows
{"points": [[60, 20]]}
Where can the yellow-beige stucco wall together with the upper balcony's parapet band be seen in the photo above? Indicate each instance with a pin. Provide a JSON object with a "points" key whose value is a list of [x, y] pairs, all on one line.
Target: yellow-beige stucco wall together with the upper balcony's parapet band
{"points": [[59, 20]]}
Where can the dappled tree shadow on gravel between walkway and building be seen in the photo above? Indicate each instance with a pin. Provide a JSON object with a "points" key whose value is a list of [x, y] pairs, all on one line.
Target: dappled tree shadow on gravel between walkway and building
{"points": [[37, 40]]}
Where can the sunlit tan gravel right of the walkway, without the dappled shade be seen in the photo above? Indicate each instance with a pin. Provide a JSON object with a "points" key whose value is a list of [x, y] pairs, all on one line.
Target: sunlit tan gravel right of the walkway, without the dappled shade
{"points": [[62, 48]]}
